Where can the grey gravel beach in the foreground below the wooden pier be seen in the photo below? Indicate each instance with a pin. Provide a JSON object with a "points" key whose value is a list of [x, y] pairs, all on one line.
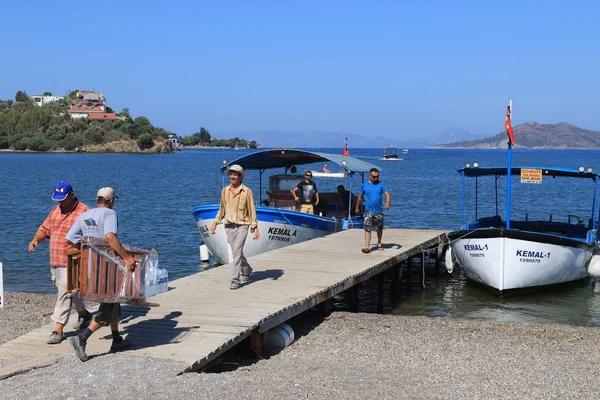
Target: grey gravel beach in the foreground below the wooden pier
{"points": [[365, 356]]}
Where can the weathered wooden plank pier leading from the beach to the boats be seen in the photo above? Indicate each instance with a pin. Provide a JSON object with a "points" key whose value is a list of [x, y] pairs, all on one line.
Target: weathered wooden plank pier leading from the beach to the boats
{"points": [[200, 318]]}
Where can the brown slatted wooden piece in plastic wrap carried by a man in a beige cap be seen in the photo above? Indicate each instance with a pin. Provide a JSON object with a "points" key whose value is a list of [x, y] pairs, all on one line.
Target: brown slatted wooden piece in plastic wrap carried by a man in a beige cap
{"points": [[95, 274]]}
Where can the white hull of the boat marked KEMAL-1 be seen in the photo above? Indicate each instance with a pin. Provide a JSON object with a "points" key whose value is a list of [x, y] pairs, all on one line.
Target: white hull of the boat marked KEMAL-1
{"points": [[506, 259]]}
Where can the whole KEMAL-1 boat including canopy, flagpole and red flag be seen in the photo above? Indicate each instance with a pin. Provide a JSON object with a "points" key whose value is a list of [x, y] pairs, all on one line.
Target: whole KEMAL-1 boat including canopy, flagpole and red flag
{"points": [[521, 253]]}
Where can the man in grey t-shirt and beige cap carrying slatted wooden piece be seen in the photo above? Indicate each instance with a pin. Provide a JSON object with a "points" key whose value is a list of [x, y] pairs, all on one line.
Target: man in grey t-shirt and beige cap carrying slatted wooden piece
{"points": [[101, 222]]}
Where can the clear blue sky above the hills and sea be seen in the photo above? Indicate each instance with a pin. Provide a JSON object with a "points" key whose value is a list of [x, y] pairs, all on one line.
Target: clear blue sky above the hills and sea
{"points": [[401, 69]]}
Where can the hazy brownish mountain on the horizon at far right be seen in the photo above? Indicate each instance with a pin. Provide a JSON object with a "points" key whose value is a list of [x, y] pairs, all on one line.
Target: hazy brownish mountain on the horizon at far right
{"points": [[532, 135]]}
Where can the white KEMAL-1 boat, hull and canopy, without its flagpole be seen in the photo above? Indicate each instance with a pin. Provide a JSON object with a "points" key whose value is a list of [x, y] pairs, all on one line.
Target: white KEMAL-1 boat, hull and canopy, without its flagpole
{"points": [[522, 254]]}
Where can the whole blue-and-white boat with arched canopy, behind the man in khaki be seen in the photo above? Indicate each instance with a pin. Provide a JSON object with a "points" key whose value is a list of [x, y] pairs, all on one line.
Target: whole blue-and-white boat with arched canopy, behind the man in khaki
{"points": [[279, 223]]}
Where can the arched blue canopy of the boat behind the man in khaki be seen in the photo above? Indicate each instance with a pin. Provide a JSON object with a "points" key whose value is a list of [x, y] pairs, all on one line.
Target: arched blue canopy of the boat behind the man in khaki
{"points": [[285, 158]]}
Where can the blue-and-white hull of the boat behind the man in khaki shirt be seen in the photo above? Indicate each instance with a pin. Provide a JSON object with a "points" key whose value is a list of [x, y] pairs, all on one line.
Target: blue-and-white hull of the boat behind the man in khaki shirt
{"points": [[278, 228]]}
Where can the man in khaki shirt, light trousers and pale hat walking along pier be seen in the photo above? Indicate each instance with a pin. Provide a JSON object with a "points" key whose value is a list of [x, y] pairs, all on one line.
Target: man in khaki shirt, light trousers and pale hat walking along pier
{"points": [[238, 213]]}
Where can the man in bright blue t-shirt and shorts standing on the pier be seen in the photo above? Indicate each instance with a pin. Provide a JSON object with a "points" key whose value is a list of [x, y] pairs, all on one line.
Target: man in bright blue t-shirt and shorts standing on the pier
{"points": [[372, 192]]}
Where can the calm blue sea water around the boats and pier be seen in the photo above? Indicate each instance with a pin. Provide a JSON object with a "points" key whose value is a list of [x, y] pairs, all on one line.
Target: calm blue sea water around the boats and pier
{"points": [[158, 192]]}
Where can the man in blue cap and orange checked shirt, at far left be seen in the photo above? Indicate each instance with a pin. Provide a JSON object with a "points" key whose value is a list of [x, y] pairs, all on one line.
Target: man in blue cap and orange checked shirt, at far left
{"points": [[55, 227]]}
